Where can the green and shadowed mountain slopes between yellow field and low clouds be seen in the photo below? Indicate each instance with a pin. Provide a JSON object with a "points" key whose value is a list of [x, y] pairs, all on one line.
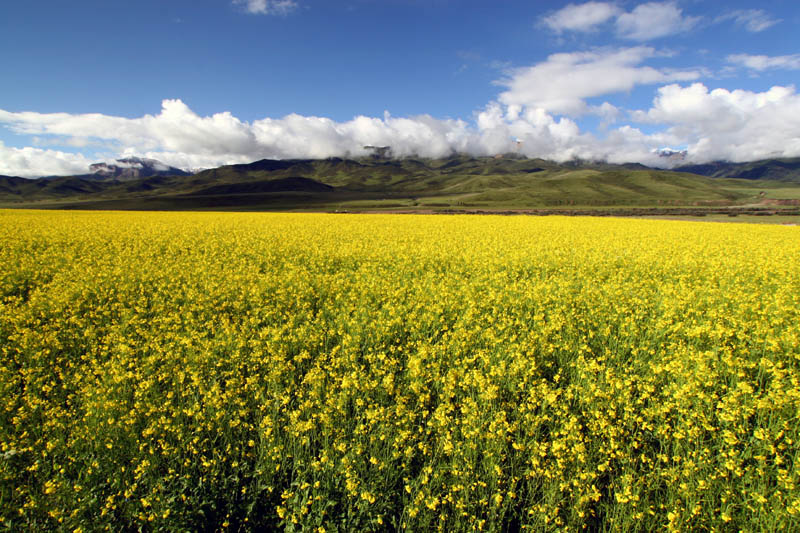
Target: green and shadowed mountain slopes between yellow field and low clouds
{"points": [[457, 182]]}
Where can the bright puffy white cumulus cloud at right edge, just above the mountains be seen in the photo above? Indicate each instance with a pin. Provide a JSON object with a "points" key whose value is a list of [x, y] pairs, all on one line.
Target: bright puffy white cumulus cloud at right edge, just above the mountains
{"points": [[734, 125]]}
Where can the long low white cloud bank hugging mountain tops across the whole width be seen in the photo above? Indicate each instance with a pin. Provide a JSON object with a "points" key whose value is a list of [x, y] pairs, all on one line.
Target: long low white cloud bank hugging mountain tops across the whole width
{"points": [[712, 124]]}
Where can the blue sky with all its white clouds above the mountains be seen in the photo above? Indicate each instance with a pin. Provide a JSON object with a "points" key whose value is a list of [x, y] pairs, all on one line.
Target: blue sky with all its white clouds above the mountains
{"points": [[208, 82]]}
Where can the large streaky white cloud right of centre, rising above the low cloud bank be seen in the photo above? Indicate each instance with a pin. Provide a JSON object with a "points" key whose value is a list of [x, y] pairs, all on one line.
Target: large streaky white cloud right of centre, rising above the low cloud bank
{"points": [[563, 82]]}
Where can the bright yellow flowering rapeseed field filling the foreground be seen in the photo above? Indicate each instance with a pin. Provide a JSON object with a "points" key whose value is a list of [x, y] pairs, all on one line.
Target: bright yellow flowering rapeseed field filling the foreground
{"points": [[212, 371]]}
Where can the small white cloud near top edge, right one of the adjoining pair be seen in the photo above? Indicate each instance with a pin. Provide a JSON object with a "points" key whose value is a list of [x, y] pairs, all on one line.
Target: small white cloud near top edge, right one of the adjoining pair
{"points": [[654, 20]]}
